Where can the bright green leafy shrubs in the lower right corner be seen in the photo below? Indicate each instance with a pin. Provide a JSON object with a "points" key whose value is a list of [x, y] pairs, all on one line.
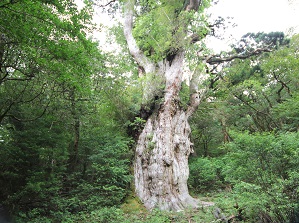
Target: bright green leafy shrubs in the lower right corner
{"points": [[264, 166]]}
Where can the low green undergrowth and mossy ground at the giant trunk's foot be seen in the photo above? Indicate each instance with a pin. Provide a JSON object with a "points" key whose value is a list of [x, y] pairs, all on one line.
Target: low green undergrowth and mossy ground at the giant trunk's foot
{"points": [[223, 210]]}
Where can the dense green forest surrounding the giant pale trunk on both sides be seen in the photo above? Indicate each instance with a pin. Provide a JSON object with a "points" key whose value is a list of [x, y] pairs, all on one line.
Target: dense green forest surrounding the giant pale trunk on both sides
{"points": [[70, 114]]}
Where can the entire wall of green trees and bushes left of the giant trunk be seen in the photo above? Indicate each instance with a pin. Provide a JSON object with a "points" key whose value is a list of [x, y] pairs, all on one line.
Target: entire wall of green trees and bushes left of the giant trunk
{"points": [[52, 84]]}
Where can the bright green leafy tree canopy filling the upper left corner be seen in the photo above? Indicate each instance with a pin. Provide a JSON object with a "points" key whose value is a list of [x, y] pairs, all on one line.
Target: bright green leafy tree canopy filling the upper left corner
{"points": [[41, 42]]}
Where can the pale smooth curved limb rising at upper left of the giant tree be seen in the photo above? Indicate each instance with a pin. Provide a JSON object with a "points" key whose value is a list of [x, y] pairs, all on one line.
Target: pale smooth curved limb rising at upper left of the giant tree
{"points": [[138, 55]]}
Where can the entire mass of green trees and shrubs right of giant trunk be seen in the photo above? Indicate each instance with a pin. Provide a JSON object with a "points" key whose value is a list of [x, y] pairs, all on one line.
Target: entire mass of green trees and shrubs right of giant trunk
{"points": [[254, 109]]}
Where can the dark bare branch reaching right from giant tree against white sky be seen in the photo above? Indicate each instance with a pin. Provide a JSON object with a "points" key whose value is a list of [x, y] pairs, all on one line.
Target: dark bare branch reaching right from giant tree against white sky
{"points": [[216, 59]]}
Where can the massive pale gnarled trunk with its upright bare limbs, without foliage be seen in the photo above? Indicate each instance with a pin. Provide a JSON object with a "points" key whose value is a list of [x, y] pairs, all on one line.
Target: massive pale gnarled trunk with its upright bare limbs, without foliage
{"points": [[161, 158]]}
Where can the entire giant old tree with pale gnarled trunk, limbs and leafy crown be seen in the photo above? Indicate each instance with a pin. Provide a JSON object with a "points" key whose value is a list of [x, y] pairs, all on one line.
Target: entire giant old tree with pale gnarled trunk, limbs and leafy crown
{"points": [[161, 37]]}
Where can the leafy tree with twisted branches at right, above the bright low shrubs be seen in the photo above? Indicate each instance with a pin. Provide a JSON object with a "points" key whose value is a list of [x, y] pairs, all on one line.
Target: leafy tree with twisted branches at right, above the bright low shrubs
{"points": [[254, 91]]}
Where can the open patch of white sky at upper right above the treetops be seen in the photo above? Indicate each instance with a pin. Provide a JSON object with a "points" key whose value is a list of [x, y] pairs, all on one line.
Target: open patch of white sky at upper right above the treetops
{"points": [[257, 16]]}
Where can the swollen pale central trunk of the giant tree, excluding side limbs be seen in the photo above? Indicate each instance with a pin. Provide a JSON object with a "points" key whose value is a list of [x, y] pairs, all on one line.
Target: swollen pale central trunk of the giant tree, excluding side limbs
{"points": [[161, 158]]}
